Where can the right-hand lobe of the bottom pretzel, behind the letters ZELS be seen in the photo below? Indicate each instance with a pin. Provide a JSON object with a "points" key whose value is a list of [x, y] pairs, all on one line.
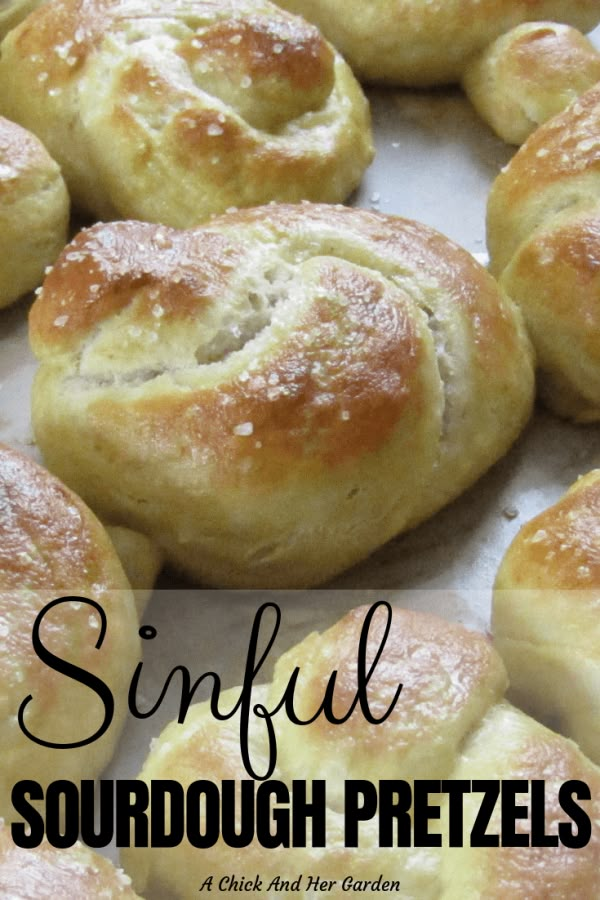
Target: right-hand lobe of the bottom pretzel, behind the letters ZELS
{"points": [[509, 745]]}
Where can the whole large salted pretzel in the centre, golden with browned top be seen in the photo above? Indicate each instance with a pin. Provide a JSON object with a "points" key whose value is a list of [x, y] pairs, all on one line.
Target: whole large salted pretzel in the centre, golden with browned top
{"points": [[273, 396]]}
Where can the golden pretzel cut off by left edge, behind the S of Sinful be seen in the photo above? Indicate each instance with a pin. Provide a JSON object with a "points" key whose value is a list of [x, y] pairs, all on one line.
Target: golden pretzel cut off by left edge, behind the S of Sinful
{"points": [[51, 546]]}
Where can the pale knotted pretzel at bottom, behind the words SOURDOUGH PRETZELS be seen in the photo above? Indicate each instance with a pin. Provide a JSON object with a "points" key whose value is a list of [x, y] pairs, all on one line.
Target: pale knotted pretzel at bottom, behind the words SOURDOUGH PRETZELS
{"points": [[450, 722]]}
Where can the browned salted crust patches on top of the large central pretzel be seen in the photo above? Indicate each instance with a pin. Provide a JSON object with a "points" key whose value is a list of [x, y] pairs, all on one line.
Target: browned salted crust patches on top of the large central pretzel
{"points": [[371, 345]]}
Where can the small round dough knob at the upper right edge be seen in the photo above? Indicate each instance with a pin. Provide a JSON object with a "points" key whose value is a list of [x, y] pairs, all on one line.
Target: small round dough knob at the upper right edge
{"points": [[528, 75]]}
